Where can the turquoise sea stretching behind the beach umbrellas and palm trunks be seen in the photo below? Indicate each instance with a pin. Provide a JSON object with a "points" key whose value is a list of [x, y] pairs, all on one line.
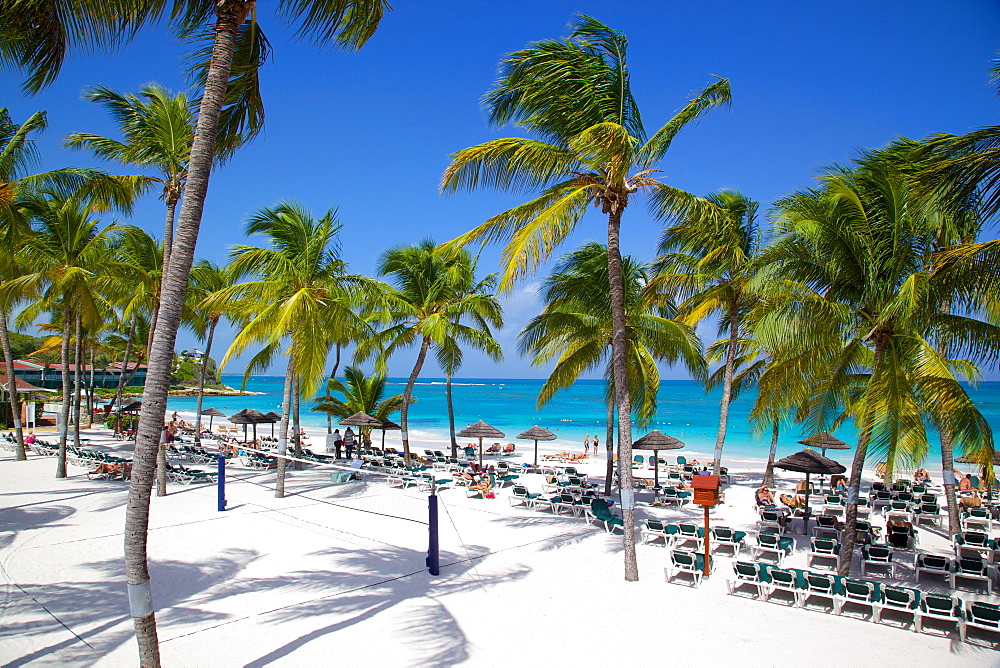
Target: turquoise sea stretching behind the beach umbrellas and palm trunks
{"points": [[685, 411]]}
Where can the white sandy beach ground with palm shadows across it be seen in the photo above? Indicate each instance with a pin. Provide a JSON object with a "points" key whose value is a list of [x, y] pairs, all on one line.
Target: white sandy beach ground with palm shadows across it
{"points": [[335, 574]]}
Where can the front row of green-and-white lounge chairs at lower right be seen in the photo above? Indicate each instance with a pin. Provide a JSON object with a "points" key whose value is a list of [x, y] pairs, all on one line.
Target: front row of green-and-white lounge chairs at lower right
{"points": [[907, 606]]}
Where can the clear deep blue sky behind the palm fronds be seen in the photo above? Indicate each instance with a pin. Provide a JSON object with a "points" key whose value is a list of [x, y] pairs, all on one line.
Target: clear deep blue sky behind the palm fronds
{"points": [[370, 132]]}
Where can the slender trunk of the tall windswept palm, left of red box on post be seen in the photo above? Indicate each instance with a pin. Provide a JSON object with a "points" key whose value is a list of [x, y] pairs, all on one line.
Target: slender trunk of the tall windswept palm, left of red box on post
{"points": [[619, 344]]}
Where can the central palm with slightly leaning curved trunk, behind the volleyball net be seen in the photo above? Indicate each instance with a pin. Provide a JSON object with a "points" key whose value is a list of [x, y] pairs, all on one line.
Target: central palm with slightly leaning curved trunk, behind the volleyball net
{"points": [[429, 300]]}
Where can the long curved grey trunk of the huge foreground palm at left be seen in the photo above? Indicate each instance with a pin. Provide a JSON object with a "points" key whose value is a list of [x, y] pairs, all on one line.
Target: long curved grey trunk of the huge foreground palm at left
{"points": [[230, 15]]}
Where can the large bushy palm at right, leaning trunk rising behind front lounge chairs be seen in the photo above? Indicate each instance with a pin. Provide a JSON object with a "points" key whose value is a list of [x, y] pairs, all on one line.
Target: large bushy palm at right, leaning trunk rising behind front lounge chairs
{"points": [[859, 294]]}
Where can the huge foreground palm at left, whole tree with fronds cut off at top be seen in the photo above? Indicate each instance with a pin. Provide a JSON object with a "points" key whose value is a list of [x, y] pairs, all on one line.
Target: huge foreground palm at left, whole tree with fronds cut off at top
{"points": [[36, 39]]}
